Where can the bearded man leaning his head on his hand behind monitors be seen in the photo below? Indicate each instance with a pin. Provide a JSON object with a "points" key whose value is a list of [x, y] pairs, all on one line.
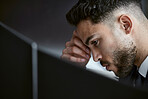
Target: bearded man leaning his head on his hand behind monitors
{"points": [[116, 32]]}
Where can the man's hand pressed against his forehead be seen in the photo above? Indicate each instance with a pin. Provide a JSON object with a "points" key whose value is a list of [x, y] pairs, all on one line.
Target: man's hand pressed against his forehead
{"points": [[76, 51]]}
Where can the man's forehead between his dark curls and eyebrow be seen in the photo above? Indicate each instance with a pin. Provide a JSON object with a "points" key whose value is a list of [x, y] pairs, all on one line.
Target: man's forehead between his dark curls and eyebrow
{"points": [[86, 28]]}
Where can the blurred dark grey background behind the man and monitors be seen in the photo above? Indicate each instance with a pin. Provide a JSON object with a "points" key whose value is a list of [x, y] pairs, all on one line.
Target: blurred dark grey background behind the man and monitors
{"points": [[42, 20]]}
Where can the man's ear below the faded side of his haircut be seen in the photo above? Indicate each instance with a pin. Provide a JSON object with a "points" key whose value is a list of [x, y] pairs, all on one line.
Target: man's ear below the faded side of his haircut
{"points": [[126, 23]]}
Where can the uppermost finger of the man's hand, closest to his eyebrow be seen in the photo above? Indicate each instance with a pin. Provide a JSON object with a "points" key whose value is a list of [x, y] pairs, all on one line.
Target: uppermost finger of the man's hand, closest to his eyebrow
{"points": [[81, 45]]}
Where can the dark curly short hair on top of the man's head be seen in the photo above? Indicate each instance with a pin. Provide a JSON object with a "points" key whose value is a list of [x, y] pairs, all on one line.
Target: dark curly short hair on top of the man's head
{"points": [[95, 10]]}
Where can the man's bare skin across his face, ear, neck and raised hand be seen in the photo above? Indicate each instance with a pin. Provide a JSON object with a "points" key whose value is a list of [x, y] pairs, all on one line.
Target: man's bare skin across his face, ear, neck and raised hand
{"points": [[118, 46]]}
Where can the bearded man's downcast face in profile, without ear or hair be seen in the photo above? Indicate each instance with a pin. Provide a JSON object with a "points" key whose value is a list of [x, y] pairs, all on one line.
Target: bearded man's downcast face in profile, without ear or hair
{"points": [[115, 49]]}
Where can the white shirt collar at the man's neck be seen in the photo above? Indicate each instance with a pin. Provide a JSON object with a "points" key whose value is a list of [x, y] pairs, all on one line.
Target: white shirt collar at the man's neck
{"points": [[144, 67]]}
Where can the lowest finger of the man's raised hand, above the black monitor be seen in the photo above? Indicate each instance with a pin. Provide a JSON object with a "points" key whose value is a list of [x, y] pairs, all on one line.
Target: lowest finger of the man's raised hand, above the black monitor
{"points": [[73, 59]]}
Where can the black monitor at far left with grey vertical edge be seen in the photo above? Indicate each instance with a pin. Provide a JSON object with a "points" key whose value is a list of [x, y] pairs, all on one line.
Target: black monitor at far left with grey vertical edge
{"points": [[18, 64]]}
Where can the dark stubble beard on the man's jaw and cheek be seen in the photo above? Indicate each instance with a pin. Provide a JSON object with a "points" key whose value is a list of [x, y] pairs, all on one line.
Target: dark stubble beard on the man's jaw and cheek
{"points": [[123, 59]]}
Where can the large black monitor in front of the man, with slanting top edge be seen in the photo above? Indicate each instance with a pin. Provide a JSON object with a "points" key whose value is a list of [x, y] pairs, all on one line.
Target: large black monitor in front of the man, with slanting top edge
{"points": [[58, 79]]}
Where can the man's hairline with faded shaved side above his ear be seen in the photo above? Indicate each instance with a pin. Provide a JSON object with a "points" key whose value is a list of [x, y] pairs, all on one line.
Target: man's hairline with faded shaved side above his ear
{"points": [[131, 9]]}
